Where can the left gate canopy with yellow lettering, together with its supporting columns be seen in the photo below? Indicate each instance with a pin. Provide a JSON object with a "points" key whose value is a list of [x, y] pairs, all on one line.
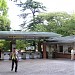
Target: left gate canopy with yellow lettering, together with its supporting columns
{"points": [[12, 36]]}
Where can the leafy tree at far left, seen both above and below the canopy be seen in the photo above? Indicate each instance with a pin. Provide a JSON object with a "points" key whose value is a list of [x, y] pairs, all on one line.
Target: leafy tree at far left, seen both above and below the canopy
{"points": [[4, 23]]}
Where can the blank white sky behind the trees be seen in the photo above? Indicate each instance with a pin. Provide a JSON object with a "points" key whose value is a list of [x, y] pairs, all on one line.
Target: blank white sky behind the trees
{"points": [[51, 6]]}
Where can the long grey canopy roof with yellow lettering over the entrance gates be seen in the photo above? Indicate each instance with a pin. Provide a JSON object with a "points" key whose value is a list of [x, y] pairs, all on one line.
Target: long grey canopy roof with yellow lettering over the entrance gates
{"points": [[27, 35]]}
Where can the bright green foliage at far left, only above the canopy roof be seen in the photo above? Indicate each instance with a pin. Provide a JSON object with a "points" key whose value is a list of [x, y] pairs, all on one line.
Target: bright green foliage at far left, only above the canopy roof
{"points": [[4, 21]]}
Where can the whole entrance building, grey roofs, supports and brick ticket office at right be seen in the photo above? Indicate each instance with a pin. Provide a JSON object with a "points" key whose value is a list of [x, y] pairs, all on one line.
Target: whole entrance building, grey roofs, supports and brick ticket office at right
{"points": [[52, 46]]}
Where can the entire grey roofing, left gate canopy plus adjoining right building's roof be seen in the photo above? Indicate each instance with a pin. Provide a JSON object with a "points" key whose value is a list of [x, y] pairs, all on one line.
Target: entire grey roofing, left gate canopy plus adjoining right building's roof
{"points": [[48, 36]]}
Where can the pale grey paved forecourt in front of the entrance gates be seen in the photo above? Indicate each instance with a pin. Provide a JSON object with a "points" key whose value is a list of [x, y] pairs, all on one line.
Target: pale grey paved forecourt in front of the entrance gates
{"points": [[39, 67]]}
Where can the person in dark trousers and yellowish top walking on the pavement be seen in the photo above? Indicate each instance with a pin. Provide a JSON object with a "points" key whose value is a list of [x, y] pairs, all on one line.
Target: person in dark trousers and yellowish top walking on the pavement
{"points": [[14, 56]]}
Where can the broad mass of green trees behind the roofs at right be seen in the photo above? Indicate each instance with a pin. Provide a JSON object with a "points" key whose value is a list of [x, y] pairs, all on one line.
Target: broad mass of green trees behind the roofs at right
{"points": [[59, 22]]}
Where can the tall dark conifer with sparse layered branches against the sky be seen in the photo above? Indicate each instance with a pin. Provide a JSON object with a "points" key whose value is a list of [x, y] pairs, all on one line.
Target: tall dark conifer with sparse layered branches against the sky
{"points": [[33, 7]]}
